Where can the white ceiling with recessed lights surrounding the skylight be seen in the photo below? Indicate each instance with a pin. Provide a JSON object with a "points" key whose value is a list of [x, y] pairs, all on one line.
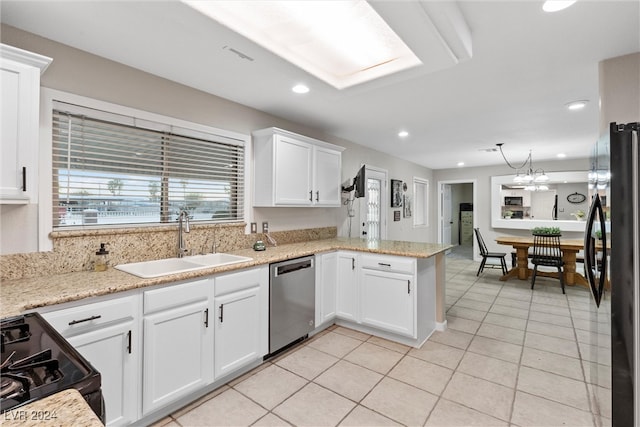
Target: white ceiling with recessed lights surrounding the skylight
{"points": [[525, 66]]}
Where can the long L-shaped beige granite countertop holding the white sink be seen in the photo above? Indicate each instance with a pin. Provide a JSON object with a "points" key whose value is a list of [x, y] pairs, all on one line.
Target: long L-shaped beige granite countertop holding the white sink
{"points": [[20, 295]]}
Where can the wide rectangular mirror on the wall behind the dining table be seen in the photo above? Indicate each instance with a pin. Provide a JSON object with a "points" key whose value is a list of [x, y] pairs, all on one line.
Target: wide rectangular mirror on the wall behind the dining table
{"points": [[562, 201]]}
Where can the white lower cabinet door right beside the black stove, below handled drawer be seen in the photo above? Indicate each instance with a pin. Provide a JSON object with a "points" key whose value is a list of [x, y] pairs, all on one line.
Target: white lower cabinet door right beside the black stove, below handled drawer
{"points": [[111, 351]]}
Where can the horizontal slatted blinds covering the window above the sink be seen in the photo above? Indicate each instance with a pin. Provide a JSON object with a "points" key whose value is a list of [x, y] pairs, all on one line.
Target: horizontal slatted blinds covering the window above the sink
{"points": [[110, 169]]}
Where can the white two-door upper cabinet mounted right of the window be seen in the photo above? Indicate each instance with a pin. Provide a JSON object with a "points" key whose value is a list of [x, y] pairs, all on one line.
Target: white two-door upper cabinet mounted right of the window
{"points": [[295, 170]]}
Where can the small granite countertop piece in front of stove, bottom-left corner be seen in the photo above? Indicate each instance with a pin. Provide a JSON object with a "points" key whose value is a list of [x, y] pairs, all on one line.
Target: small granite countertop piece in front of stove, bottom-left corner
{"points": [[61, 409]]}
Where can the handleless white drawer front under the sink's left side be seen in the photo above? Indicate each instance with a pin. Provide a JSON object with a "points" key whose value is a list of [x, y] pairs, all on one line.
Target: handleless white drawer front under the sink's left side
{"points": [[177, 295]]}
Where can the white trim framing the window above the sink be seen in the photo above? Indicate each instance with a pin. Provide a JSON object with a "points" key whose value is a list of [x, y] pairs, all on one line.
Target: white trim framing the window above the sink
{"points": [[45, 197]]}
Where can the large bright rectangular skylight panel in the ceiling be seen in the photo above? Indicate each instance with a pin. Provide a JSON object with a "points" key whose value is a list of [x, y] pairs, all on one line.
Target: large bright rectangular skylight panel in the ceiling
{"points": [[341, 42]]}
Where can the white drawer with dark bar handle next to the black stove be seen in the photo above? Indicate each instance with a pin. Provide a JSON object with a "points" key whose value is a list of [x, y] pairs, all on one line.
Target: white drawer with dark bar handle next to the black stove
{"points": [[74, 320]]}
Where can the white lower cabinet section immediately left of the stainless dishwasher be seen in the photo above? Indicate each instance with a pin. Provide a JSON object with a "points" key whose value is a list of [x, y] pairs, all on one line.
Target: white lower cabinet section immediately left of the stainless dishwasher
{"points": [[241, 319]]}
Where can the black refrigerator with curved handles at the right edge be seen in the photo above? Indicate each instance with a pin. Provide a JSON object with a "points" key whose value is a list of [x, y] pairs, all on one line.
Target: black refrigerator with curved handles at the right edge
{"points": [[613, 221]]}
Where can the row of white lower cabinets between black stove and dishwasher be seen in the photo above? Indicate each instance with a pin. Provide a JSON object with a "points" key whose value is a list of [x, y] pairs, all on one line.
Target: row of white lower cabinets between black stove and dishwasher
{"points": [[157, 346]]}
